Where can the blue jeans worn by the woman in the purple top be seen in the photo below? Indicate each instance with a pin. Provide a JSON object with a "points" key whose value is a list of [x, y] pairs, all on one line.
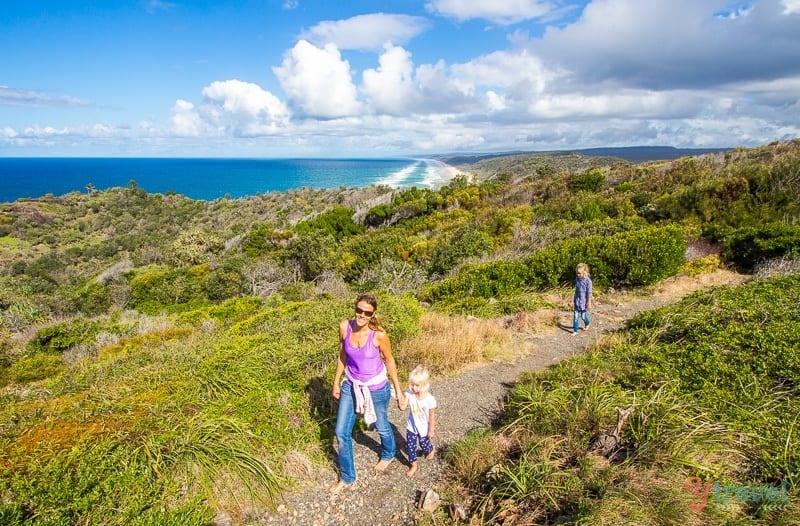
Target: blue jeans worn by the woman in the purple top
{"points": [[346, 420]]}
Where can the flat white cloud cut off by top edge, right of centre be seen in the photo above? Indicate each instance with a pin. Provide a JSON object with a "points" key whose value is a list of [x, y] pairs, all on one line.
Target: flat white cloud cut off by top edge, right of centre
{"points": [[503, 12]]}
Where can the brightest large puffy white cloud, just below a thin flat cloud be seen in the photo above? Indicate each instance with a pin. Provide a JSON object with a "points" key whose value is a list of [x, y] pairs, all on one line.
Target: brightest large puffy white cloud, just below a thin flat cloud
{"points": [[317, 81]]}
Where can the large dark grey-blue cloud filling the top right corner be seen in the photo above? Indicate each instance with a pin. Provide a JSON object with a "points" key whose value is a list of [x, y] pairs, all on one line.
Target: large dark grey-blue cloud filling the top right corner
{"points": [[666, 44]]}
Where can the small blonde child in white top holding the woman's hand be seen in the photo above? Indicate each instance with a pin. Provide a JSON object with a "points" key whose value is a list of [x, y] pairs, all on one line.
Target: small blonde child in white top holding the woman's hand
{"points": [[421, 424]]}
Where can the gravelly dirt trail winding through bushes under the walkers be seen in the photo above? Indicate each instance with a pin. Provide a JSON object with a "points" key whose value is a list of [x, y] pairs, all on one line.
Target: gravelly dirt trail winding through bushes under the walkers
{"points": [[470, 400]]}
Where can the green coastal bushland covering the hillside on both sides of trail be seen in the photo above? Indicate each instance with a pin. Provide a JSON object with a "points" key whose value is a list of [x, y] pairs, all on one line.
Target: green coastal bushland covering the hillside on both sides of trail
{"points": [[151, 345]]}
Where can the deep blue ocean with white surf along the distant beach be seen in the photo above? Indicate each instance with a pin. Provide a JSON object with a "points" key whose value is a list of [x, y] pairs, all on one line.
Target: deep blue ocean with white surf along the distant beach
{"points": [[209, 179]]}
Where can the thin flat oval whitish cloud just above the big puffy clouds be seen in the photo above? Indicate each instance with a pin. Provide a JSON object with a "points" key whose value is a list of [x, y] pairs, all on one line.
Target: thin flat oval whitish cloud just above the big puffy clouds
{"points": [[366, 32]]}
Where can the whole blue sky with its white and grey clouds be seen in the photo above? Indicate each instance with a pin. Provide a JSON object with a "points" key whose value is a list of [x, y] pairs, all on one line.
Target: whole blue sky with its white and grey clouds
{"points": [[324, 78]]}
